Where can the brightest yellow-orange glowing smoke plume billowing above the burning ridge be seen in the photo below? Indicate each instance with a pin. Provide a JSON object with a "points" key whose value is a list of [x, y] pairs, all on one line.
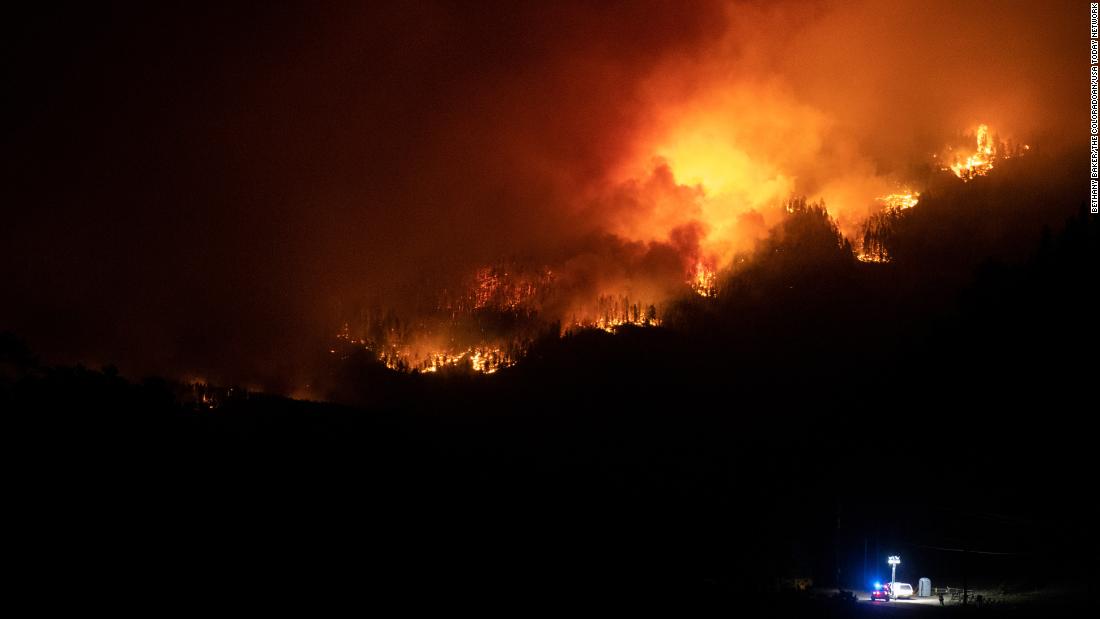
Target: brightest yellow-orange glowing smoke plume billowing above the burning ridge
{"points": [[732, 158]]}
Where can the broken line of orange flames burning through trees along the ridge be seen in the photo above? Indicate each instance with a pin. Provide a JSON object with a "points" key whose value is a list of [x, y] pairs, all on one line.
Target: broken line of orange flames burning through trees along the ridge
{"points": [[487, 324]]}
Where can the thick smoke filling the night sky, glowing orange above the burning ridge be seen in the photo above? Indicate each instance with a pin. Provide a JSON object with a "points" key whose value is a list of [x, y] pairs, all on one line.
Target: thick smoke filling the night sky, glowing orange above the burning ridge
{"points": [[212, 193]]}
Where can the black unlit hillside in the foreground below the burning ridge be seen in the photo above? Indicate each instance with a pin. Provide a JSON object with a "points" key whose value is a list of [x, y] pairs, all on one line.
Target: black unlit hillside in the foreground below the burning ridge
{"points": [[691, 469]]}
